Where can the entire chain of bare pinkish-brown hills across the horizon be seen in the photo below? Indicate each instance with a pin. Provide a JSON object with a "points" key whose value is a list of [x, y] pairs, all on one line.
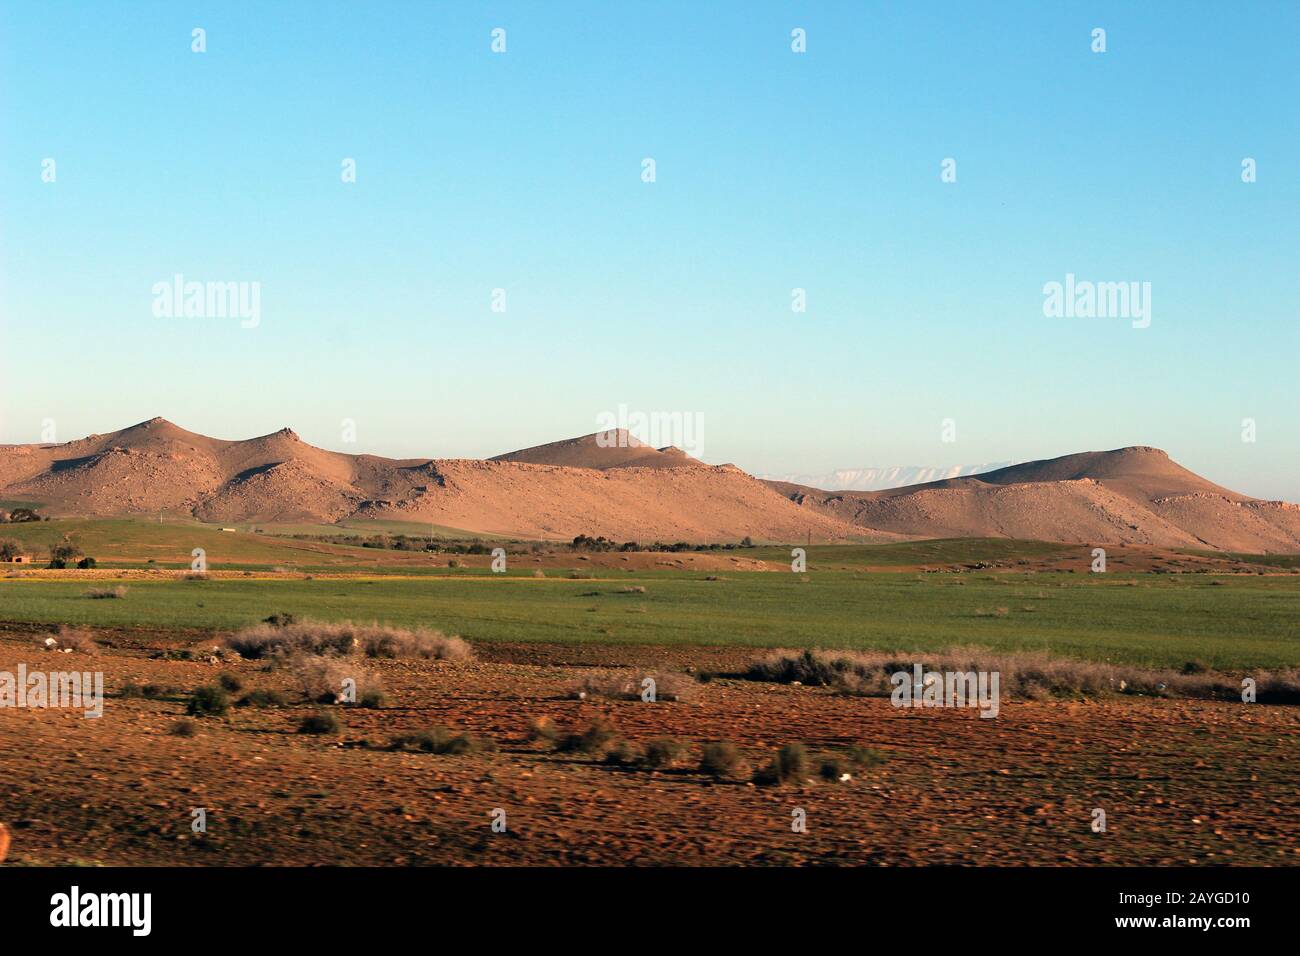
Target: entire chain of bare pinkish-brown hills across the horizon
{"points": [[613, 485]]}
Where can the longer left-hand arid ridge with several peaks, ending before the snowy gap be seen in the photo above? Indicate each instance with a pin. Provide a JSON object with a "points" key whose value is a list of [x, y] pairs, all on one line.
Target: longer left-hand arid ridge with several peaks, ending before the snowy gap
{"points": [[626, 492]]}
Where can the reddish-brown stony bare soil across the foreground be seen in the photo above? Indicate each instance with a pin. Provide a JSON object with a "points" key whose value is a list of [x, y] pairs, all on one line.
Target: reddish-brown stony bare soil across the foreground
{"points": [[1181, 782]]}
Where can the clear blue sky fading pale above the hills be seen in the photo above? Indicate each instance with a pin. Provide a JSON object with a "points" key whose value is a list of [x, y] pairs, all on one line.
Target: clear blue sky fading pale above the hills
{"points": [[774, 171]]}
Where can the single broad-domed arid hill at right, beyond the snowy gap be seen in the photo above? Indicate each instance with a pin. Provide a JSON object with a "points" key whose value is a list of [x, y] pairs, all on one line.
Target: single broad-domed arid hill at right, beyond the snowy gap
{"points": [[1128, 496]]}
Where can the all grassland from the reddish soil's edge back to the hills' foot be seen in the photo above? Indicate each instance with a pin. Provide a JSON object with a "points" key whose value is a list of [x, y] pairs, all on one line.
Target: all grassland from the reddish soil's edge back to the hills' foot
{"points": [[1223, 621]]}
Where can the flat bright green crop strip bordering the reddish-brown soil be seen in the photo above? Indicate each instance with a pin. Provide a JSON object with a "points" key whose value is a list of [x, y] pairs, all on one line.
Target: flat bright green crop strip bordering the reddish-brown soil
{"points": [[1150, 620]]}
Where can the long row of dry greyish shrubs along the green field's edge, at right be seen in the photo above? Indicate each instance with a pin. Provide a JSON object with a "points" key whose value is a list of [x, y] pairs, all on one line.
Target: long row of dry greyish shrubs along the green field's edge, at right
{"points": [[1033, 676]]}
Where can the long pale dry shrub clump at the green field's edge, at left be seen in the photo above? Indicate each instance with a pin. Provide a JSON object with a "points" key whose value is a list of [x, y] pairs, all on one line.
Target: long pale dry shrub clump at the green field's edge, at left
{"points": [[270, 641]]}
